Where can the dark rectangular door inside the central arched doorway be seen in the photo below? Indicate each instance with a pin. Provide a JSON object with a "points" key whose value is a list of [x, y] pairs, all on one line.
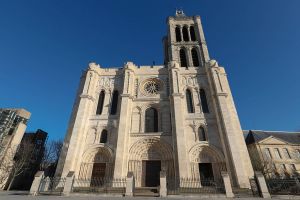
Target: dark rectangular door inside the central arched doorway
{"points": [[152, 169]]}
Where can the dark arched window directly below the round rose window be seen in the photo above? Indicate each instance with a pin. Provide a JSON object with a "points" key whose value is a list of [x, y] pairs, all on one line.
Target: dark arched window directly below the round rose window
{"points": [[151, 120]]}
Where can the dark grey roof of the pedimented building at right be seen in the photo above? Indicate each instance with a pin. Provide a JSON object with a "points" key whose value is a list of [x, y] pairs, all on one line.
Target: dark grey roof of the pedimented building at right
{"points": [[255, 136]]}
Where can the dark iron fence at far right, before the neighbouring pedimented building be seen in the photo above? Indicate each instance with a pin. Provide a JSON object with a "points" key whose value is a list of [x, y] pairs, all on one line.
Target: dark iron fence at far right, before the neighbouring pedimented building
{"points": [[284, 186]]}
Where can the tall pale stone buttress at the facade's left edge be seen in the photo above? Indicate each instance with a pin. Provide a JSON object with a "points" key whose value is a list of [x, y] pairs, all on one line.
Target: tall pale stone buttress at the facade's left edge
{"points": [[83, 108]]}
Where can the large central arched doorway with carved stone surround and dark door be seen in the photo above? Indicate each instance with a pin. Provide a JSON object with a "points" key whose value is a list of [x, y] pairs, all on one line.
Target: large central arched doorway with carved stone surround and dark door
{"points": [[147, 158]]}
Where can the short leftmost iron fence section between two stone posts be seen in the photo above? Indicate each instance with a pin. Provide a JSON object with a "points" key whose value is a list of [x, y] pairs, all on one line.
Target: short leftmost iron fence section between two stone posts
{"points": [[53, 186]]}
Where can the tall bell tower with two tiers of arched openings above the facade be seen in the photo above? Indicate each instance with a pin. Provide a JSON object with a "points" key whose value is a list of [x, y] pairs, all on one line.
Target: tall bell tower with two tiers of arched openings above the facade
{"points": [[185, 42]]}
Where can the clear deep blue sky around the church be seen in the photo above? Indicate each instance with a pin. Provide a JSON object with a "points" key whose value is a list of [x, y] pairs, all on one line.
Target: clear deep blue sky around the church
{"points": [[44, 46]]}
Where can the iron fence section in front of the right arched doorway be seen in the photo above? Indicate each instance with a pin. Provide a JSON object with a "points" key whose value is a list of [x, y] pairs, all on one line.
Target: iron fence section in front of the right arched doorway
{"points": [[194, 185]]}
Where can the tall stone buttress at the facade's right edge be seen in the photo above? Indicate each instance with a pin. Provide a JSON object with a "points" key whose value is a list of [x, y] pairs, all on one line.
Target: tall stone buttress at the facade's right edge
{"points": [[236, 154]]}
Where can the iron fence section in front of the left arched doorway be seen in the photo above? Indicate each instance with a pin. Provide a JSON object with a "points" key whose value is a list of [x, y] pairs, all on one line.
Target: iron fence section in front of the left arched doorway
{"points": [[99, 185]]}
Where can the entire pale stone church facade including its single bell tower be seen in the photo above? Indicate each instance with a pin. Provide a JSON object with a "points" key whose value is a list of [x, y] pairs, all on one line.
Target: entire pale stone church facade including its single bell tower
{"points": [[178, 117]]}
